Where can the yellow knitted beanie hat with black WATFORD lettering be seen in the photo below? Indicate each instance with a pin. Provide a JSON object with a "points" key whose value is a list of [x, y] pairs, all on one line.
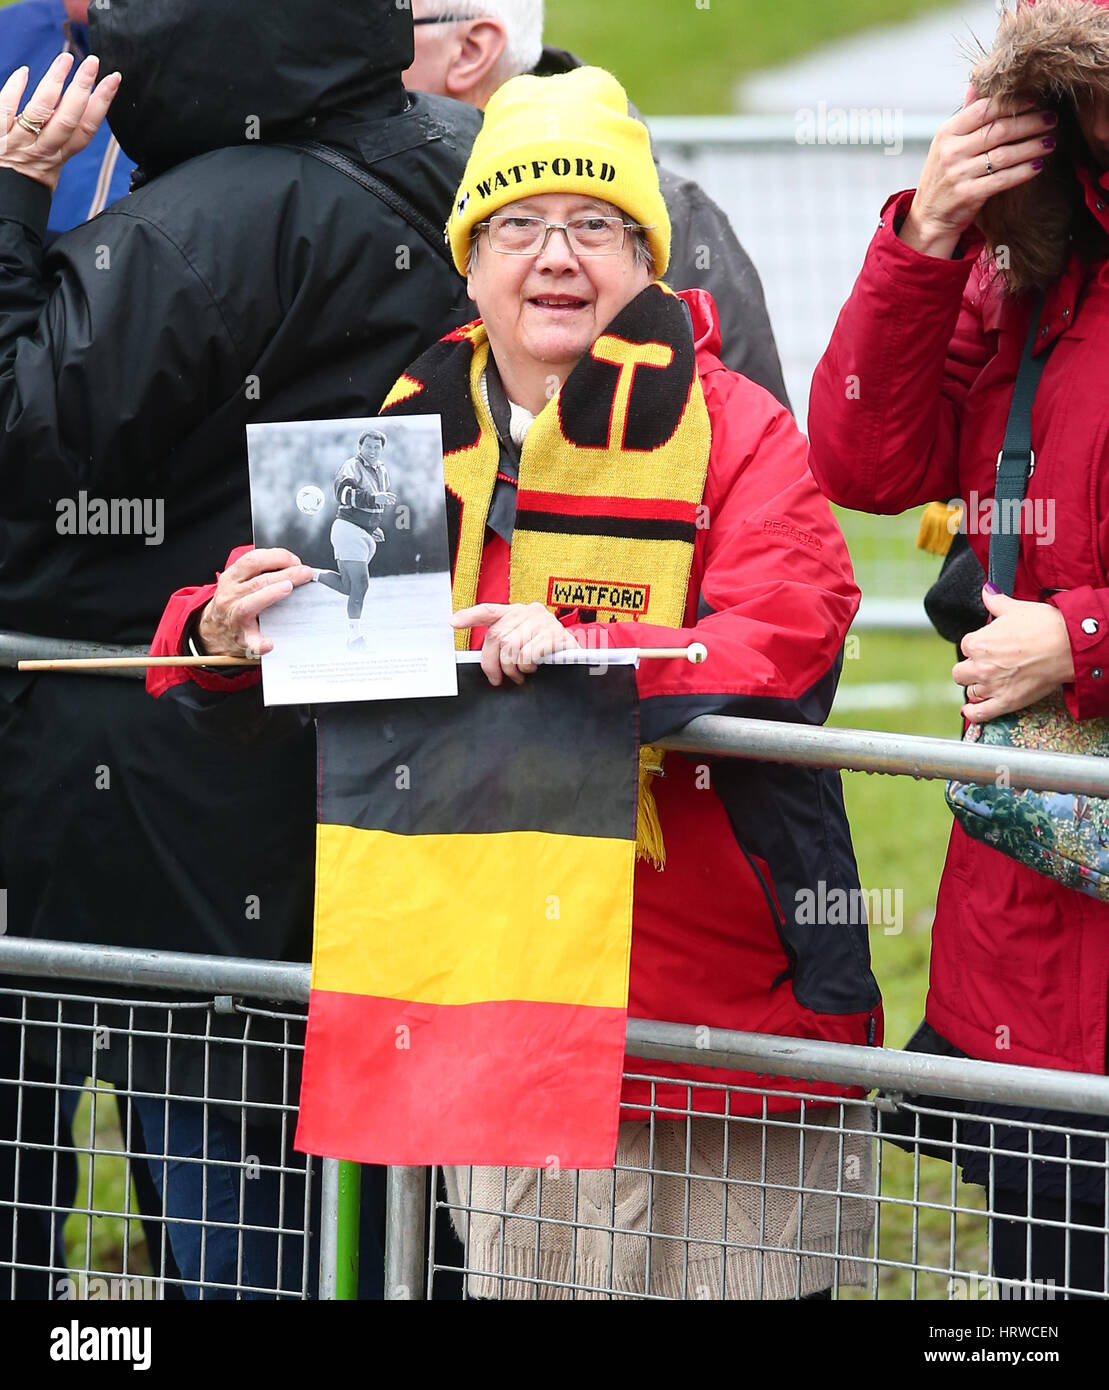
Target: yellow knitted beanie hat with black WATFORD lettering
{"points": [[569, 134]]}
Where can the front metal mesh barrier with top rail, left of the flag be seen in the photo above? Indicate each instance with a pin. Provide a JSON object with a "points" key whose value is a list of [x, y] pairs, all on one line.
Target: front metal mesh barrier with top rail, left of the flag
{"points": [[85, 1206]]}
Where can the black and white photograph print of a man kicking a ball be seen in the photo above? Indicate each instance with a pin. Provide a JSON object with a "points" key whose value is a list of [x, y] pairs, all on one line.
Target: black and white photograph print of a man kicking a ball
{"points": [[362, 504]]}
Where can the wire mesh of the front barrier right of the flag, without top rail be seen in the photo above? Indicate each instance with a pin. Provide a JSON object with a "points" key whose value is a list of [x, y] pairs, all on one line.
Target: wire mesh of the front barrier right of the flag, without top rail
{"points": [[800, 1203]]}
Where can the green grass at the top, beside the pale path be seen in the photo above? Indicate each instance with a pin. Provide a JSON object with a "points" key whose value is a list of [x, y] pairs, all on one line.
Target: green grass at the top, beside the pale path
{"points": [[679, 59]]}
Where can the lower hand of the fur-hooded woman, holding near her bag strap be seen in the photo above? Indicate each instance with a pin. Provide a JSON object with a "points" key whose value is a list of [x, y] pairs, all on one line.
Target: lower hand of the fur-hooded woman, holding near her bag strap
{"points": [[1015, 661]]}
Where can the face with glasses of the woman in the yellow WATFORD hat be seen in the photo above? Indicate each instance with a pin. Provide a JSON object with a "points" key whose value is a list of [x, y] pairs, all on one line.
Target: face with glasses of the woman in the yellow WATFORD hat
{"points": [[548, 309]]}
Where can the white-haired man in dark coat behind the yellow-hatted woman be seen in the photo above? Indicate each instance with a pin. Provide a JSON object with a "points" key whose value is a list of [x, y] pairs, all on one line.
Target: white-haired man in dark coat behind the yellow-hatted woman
{"points": [[468, 48]]}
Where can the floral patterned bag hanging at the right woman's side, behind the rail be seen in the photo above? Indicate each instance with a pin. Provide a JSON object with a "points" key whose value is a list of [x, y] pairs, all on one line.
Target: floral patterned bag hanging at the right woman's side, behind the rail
{"points": [[1060, 835]]}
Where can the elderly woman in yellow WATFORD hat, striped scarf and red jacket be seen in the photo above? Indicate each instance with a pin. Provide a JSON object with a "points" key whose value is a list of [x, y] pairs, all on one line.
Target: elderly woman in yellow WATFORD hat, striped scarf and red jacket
{"points": [[611, 483]]}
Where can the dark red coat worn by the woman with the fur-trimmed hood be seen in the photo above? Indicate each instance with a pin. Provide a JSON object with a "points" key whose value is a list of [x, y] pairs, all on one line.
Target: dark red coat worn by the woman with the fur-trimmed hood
{"points": [[910, 405]]}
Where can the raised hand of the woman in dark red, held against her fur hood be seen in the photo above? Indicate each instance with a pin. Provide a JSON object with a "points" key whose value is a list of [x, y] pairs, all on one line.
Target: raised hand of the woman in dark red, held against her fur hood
{"points": [[982, 151]]}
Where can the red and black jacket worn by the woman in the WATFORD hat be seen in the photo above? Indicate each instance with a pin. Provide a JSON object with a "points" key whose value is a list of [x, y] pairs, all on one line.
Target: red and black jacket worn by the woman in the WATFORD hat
{"points": [[725, 936]]}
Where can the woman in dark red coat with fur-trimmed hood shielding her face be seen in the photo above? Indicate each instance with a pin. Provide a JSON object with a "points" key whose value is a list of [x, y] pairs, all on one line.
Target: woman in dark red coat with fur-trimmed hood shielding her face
{"points": [[1014, 199]]}
